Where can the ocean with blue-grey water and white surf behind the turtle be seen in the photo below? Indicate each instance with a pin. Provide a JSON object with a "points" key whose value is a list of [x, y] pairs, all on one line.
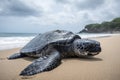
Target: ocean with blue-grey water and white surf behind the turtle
{"points": [[16, 40]]}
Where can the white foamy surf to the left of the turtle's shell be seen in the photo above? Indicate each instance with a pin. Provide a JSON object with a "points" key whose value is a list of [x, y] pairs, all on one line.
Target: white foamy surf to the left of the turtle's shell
{"points": [[13, 42]]}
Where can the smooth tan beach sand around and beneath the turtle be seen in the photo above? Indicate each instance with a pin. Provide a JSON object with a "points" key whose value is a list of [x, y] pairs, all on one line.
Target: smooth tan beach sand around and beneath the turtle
{"points": [[105, 66]]}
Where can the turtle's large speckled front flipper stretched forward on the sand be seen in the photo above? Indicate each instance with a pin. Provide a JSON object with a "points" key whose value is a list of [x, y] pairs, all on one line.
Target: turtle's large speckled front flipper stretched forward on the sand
{"points": [[45, 63]]}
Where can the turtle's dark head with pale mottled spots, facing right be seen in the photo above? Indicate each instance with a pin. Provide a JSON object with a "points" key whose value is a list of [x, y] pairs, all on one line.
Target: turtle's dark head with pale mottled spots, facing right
{"points": [[86, 47]]}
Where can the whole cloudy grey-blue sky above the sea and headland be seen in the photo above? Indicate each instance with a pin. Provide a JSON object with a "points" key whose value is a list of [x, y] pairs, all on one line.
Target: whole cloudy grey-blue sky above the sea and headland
{"points": [[38, 16]]}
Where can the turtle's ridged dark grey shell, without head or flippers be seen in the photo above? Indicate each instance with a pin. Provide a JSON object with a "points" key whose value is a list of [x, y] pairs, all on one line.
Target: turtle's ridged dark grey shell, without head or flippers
{"points": [[42, 40]]}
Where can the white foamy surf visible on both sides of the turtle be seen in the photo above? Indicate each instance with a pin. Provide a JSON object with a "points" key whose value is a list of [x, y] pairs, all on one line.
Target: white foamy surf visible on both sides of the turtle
{"points": [[19, 41]]}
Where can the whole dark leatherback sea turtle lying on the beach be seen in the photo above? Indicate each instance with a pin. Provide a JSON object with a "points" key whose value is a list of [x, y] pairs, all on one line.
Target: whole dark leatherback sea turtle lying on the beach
{"points": [[51, 47]]}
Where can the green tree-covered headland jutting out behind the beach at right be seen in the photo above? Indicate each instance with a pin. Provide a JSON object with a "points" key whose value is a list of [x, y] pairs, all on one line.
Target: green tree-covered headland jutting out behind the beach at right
{"points": [[104, 27]]}
